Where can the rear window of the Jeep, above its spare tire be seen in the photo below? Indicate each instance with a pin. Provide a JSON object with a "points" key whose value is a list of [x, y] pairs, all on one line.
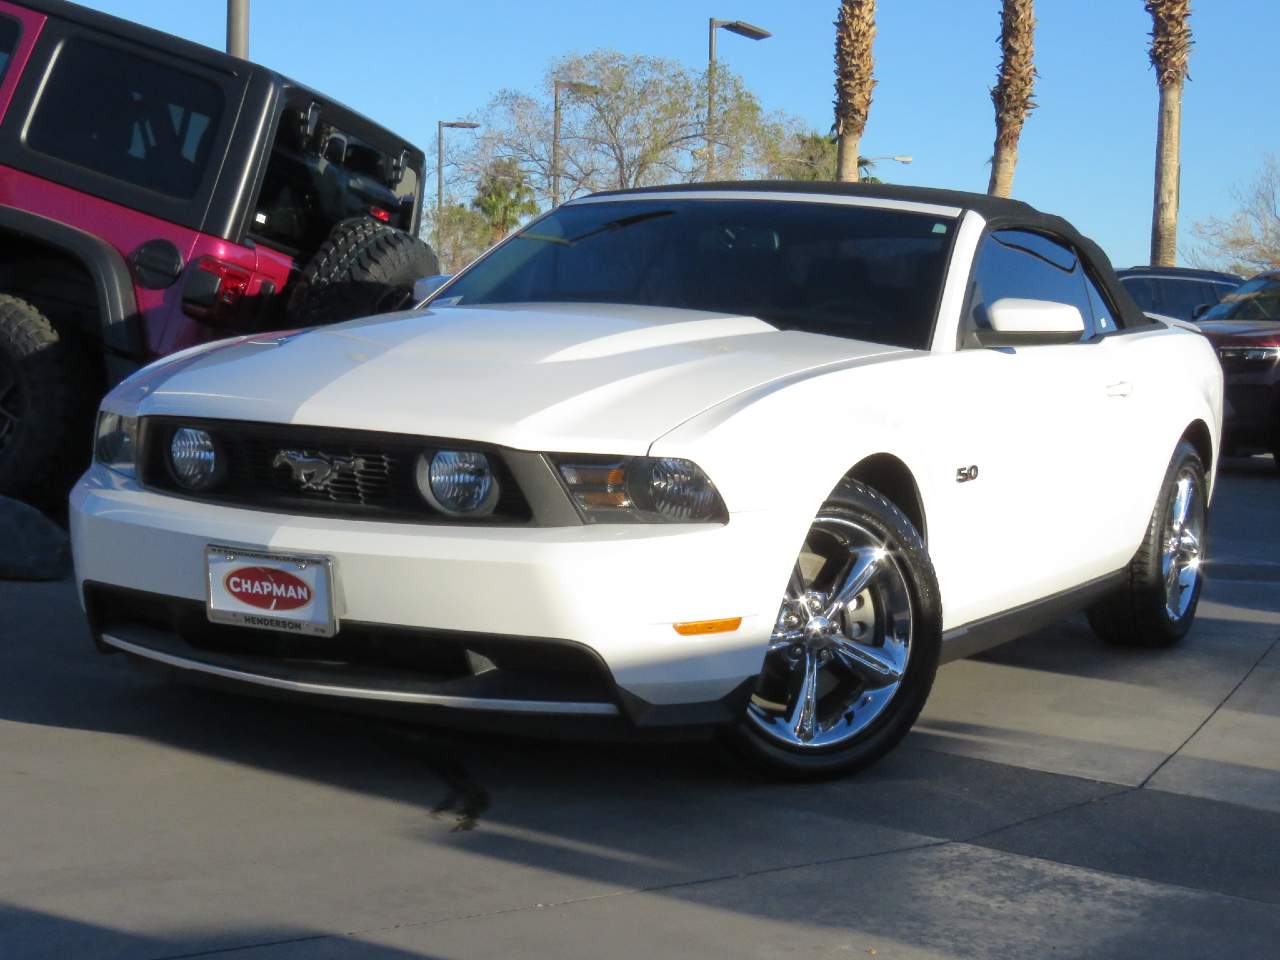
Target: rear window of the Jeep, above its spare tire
{"points": [[313, 184]]}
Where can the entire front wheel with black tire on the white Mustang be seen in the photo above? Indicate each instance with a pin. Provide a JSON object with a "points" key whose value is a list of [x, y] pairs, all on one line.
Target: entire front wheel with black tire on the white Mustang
{"points": [[856, 648]]}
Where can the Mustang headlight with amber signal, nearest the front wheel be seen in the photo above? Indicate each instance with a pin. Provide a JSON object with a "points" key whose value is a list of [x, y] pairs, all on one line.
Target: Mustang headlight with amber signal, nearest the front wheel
{"points": [[641, 491]]}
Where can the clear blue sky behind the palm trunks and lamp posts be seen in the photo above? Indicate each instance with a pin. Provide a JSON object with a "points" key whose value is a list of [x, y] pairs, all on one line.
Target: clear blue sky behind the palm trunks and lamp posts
{"points": [[1087, 152]]}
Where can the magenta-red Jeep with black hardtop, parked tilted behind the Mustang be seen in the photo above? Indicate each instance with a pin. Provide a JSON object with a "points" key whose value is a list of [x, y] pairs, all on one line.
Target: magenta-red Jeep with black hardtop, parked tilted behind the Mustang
{"points": [[156, 195]]}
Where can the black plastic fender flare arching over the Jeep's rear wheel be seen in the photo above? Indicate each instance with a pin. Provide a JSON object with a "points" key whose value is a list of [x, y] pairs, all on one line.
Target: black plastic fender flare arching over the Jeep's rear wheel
{"points": [[113, 285]]}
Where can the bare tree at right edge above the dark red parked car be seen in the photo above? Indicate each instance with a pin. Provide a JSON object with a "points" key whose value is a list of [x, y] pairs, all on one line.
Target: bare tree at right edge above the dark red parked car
{"points": [[1249, 241]]}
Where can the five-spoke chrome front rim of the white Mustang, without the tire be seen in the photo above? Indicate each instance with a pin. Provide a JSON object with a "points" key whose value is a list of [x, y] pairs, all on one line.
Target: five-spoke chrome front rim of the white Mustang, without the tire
{"points": [[842, 643]]}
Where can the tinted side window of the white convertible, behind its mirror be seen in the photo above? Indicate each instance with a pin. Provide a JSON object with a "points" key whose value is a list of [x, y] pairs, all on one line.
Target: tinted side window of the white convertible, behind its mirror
{"points": [[1025, 266]]}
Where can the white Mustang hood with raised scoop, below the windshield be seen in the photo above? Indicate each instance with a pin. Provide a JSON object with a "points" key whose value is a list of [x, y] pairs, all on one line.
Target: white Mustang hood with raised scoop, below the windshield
{"points": [[580, 378]]}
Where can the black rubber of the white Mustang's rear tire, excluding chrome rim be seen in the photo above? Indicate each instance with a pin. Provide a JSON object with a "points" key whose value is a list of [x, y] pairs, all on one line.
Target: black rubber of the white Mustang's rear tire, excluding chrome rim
{"points": [[1137, 615]]}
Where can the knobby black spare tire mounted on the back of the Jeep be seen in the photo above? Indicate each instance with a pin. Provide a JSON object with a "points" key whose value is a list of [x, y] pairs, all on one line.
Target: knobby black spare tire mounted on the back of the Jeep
{"points": [[365, 268]]}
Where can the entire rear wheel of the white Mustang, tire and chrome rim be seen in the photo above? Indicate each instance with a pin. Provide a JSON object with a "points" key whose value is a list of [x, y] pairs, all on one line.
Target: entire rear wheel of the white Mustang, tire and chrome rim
{"points": [[1158, 606]]}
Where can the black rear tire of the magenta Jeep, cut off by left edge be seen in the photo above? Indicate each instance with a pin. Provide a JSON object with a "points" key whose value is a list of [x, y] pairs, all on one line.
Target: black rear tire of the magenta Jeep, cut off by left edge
{"points": [[48, 395]]}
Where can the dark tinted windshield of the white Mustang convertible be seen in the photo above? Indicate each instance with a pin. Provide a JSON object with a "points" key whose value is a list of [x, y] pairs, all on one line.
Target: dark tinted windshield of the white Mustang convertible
{"points": [[825, 268]]}
